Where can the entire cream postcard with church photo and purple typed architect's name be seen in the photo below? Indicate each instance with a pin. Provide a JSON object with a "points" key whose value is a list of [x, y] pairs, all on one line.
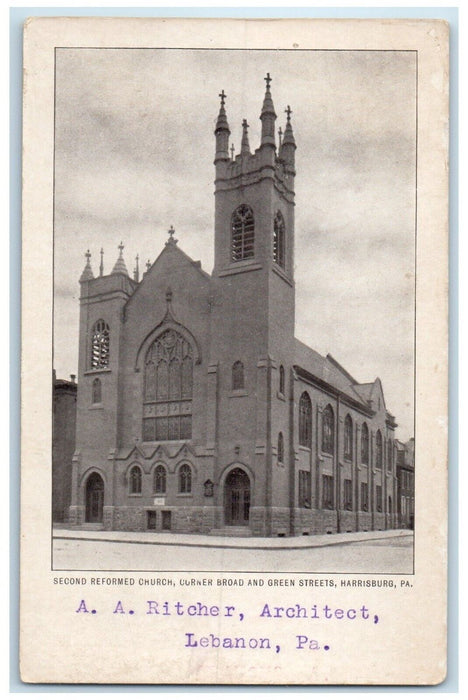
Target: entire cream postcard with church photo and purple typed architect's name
{"points": [[234, 351]]}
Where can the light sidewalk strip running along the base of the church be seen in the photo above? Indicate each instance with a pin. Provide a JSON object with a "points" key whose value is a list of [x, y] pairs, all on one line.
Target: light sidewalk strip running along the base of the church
{"points": [[196, 540]]}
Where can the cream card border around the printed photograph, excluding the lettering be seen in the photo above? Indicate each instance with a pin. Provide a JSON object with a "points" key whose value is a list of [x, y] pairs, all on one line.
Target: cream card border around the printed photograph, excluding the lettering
{"points": [[408, 646]]}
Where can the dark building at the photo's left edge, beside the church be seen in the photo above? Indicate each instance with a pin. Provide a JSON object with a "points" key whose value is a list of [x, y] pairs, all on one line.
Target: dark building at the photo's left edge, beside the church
{"points": [[63, 445]]}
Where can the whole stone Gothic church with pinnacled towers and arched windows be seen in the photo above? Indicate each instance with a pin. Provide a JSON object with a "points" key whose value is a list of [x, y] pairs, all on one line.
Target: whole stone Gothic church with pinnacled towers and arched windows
{"points": [[197, 409]]}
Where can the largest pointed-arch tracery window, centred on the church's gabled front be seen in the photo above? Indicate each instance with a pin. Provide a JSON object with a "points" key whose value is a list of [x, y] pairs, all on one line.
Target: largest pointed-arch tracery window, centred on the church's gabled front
{"points": [[168, 386]]}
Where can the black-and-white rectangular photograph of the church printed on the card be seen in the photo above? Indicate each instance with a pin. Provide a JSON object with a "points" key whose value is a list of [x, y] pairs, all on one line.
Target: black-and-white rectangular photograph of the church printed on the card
{"points": [[234, 310]]}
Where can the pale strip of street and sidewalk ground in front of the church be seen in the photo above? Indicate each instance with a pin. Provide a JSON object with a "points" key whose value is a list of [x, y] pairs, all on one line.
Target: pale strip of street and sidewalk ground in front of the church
{"points": [[389, 552]]}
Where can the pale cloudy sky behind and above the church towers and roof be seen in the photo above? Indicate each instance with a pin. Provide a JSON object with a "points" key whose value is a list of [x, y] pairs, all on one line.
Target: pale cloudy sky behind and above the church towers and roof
{"points": [[134, 150]]}
